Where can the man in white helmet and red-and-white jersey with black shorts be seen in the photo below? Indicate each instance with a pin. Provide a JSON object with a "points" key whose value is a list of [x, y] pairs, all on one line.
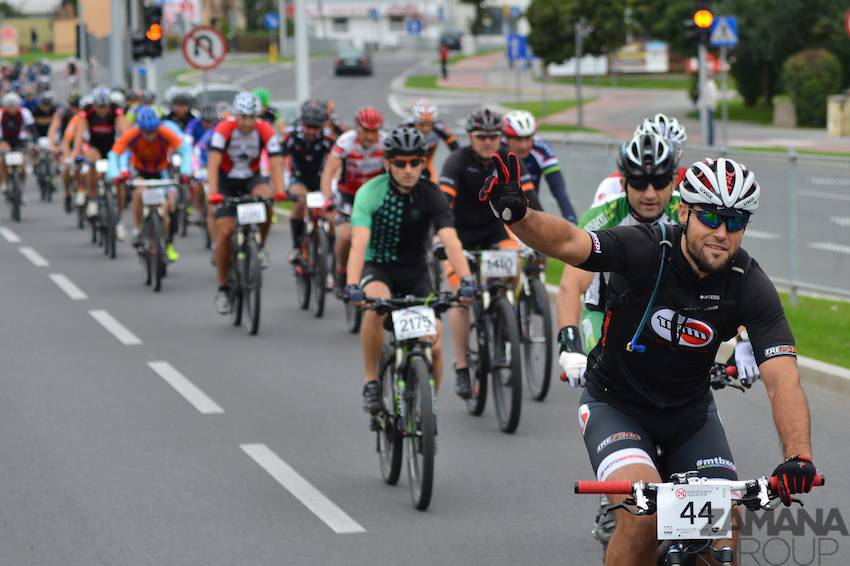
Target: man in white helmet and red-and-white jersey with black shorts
{"points": [[234, 170]]}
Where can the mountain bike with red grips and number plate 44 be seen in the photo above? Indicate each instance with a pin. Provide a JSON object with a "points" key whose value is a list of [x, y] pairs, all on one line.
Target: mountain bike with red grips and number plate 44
{"points": [[691, 511]]}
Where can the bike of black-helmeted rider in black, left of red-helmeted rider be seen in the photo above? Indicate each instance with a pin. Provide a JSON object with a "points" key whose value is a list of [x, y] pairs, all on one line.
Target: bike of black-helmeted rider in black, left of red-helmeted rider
{"points": [[311, 274]]}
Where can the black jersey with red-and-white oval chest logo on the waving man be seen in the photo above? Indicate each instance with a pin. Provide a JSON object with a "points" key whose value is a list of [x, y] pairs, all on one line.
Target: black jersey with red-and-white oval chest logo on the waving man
{"points": [[673, 370]]}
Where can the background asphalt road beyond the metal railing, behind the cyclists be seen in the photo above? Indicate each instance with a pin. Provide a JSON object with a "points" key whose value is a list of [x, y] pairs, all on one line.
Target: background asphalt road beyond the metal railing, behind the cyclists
{"points": [[822, 247]]}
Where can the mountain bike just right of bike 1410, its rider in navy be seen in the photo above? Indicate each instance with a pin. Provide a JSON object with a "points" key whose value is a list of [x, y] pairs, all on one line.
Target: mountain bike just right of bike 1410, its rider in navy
{"points": [[535, 324]]}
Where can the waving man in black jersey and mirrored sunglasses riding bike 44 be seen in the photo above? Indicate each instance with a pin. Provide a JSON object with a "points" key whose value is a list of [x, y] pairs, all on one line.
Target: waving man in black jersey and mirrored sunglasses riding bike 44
{"points": [[675, 293]]}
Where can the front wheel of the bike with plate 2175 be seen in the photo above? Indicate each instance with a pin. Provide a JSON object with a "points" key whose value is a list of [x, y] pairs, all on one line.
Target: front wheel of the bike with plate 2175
{"points": [[419, 433]]}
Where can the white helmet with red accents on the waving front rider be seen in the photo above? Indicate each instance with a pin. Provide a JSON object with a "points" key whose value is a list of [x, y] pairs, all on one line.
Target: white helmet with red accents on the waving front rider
{"points": [[723, 183]]}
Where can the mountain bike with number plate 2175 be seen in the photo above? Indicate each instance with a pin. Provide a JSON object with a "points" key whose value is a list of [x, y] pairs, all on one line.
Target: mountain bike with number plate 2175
{"points": [[409, 417]]}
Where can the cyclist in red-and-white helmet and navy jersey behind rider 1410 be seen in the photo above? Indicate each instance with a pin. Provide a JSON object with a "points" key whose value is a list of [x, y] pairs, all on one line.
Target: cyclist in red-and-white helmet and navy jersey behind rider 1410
{"points": [[519, 129]]}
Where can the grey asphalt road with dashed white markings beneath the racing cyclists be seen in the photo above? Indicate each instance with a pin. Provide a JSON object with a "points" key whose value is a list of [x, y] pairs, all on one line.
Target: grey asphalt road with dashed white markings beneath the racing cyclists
{"points": [[163, 446]]}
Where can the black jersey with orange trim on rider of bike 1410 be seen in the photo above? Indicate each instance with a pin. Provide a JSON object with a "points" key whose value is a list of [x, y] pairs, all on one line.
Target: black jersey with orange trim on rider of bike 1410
{"points": [[461, 179]]}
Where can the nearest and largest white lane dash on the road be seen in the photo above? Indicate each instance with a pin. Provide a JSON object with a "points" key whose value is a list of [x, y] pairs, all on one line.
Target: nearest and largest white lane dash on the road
{"points": [[312, 498]]}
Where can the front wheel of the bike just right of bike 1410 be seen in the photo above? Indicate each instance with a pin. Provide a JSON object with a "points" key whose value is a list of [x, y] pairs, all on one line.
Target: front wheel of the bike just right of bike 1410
{"points": [[535, 321]]}
